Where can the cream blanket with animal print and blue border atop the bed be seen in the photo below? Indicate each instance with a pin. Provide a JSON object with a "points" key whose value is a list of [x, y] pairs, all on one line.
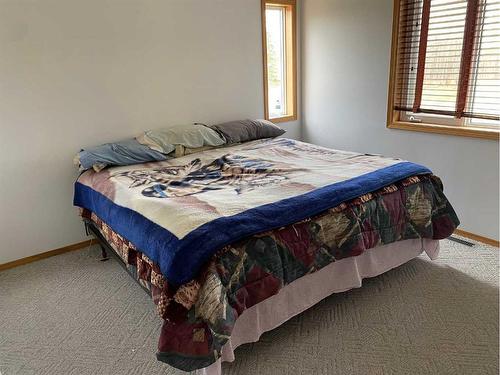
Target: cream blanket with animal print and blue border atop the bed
{"points": [[181, 211]]}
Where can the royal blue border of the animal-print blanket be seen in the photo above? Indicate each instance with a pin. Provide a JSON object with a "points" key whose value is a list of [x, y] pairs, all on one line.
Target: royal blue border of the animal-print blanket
{"points": [[181, 259]]}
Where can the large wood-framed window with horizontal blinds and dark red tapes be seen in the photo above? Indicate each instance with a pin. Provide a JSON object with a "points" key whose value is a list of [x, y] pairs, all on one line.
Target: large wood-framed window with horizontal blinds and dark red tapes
{"points": [[445, 67]]}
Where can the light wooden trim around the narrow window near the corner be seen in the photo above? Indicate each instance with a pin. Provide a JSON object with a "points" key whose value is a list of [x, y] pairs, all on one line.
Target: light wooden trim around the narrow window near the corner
{"points": [[291, 59]]}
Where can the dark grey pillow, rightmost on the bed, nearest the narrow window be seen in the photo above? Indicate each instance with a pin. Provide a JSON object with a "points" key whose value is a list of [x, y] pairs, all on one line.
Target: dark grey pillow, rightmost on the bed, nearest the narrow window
{"points": [[247, 130]]}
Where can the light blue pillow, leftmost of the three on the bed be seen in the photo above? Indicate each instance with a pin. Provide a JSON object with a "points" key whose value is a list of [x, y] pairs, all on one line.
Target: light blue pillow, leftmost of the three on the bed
{"points": [[120, 153]]}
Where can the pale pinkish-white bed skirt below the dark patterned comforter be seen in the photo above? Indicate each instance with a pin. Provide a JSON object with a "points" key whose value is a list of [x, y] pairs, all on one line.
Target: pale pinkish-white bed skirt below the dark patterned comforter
{"points": [[305, 292]]}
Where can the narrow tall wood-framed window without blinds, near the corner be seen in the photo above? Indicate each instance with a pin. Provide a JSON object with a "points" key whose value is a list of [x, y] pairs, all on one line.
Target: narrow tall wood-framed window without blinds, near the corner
{"points": [[279, 57]]}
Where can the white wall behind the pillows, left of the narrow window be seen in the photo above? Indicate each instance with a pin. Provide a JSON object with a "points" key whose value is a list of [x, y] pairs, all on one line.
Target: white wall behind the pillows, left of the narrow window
{"points": [[77, 73]]}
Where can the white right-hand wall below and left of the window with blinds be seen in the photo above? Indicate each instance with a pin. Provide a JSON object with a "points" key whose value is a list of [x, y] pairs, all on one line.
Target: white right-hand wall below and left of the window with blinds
{"points": [[345, 69]]}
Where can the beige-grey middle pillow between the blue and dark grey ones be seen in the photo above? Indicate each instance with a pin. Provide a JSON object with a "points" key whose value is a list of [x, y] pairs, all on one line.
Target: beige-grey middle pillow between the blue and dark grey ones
{"points": [[190, 136]]}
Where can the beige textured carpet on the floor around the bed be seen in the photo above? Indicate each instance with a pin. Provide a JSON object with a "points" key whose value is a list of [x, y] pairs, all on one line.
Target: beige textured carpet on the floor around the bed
{"points": [[72, 314]]}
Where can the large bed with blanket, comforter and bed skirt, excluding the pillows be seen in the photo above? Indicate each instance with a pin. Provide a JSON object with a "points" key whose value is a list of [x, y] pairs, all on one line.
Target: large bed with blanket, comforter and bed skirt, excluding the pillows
{"points": [[232, 242]]}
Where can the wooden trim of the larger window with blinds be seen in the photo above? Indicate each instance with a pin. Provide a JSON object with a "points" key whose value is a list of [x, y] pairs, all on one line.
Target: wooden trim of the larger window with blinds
{"points": [[393, 120]]}
